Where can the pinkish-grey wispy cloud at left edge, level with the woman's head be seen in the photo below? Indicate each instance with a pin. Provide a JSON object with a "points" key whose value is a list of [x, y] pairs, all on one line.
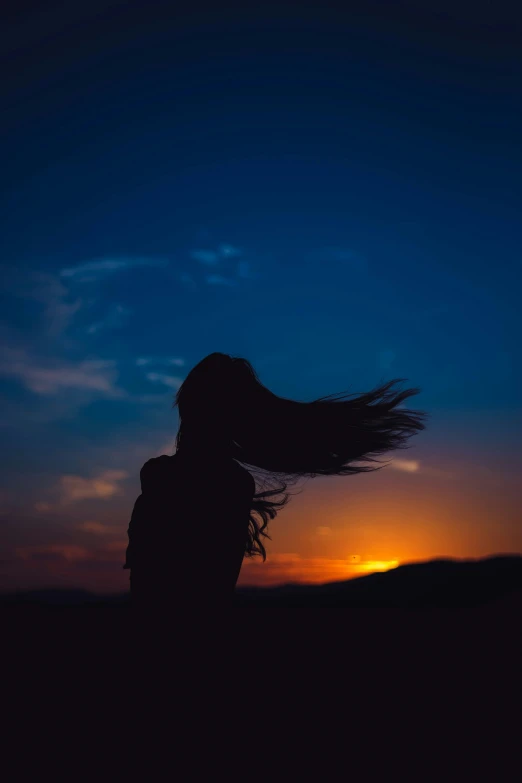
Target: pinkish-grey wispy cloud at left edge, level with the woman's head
{"points": [[49, 377]]}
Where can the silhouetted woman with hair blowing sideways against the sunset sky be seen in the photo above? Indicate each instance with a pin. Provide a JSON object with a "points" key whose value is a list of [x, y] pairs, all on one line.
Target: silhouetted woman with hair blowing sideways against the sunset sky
{"points": [[199, 514]]}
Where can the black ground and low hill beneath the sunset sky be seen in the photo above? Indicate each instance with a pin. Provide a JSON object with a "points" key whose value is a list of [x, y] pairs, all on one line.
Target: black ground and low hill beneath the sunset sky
{"points": [[433, 668]]}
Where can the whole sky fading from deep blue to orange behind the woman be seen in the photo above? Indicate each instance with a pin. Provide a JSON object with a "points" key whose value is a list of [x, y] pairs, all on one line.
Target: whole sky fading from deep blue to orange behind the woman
{"points": [[336, 198]]}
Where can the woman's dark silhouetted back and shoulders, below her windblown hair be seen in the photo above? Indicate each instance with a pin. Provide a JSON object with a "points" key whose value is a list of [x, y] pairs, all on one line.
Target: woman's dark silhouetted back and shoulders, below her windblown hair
{"points": [[188, 531]]}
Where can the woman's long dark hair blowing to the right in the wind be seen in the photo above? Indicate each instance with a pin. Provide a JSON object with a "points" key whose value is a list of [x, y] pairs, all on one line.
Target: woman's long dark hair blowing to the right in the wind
{"points": [[280, 440]]}
